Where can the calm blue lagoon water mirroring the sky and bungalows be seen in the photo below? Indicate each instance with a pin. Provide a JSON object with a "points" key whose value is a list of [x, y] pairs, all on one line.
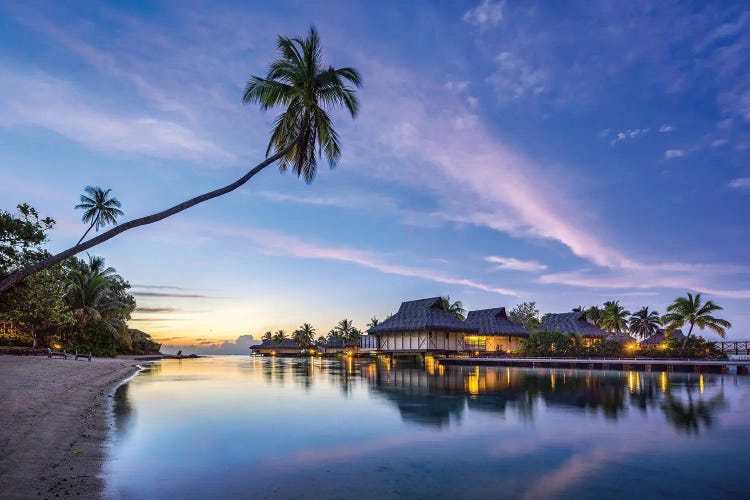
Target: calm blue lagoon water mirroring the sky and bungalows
{"points": [[243, 427]]}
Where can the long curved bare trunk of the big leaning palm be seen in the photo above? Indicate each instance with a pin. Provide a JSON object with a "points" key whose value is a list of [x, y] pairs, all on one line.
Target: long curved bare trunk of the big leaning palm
{"points": [[16, 277]]}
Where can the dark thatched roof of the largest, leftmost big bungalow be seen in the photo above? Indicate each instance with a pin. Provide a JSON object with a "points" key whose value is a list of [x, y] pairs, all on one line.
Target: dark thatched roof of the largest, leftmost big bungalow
{"points": [[424, 314]]}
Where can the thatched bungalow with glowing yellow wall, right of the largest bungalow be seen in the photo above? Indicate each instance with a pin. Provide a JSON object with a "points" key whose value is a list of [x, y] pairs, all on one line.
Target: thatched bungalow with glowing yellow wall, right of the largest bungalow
{"points": [[496, 332]]}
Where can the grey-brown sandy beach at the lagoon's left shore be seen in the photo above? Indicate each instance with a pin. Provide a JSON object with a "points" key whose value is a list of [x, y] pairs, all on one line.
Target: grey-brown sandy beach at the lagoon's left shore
{"points": [[53, 424]]}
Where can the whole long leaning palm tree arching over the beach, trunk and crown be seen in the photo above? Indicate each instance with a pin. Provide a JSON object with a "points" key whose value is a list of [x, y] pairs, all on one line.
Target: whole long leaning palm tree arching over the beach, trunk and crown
{"points": [[300, 84]]}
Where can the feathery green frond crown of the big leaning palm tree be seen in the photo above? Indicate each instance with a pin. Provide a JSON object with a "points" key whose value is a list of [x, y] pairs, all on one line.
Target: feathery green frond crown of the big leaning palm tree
{"points": [[300, 83]]}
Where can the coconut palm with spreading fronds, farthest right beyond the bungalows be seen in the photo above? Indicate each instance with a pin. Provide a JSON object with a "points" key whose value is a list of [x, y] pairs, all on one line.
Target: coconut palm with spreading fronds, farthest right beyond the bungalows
{"points": [[691, 310]]}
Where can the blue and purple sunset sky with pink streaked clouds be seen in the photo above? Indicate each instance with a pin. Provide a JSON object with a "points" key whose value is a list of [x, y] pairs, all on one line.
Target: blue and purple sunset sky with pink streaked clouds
{"points": [[504, 152]]}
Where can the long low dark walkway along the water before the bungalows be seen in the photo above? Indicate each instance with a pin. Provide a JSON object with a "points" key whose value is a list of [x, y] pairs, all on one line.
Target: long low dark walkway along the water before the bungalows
{"points": [[644, 364]]}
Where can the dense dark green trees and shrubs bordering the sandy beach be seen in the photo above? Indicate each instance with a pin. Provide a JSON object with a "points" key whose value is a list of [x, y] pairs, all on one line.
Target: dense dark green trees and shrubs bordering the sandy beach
{"points": [[79, 304]]}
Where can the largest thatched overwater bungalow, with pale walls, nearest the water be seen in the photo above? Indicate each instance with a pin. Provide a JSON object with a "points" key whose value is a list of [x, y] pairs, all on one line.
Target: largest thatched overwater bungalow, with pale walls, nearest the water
{"points": [[420, 327]]}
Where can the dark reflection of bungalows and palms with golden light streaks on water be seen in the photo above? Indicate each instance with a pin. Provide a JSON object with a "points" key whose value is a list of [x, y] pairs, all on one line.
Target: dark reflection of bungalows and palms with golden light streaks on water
{"points": [[435, 395]]}
